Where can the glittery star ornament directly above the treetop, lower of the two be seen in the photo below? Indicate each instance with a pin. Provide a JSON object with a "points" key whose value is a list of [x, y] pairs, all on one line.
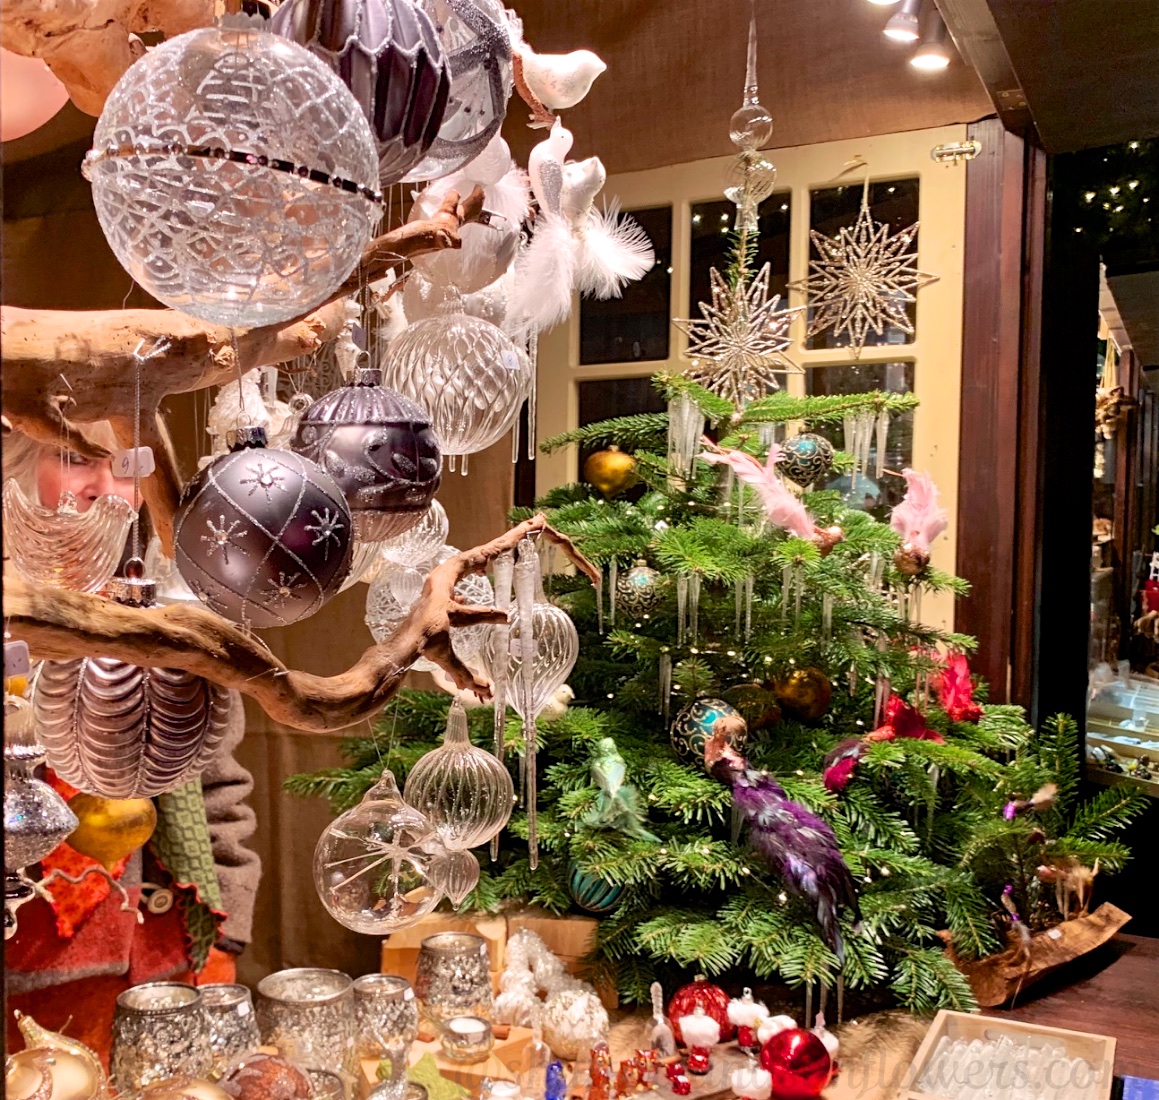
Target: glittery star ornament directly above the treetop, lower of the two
{"points": [[738, 346]]}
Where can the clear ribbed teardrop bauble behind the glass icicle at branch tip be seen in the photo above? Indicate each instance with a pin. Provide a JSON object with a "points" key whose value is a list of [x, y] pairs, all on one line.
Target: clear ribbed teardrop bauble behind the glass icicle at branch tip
{"points": [[556, 647]]}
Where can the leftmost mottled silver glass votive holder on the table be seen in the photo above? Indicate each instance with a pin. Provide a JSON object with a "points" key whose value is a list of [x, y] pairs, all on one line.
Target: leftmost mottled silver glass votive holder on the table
{"points": [[159, 1031]]}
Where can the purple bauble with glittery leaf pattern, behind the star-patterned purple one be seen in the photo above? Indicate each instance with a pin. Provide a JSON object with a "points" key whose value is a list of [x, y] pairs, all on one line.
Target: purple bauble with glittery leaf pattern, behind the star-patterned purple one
{"points": [[380, 449]]}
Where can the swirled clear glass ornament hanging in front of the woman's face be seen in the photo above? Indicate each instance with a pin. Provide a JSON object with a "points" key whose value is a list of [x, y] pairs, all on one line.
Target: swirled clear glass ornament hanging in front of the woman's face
{"points": [[65, 548]]}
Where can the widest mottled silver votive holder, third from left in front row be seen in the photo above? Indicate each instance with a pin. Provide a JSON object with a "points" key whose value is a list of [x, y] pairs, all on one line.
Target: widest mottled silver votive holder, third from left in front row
{"points": [[309, 1015]]}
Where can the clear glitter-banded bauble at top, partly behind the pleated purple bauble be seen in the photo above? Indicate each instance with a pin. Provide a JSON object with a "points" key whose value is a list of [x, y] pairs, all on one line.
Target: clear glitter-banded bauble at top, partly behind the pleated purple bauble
{"points": [[477, 45]]}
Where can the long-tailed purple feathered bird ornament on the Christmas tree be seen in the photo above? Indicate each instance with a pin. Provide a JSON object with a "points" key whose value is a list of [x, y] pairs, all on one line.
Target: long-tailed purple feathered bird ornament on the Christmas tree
{"points": [[796, 843]]}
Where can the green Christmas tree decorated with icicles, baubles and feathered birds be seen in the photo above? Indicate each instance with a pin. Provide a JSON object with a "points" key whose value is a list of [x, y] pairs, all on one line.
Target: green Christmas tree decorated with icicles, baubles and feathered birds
{"points": [[920, 810]]}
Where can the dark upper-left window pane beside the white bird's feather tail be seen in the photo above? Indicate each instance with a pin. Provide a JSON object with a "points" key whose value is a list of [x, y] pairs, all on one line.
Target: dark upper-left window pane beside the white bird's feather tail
{"points": [[635, 326]]}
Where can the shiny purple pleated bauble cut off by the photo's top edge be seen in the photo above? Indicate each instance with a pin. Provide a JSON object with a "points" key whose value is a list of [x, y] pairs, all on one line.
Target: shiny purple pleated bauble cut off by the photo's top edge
{"points": [[389, 55]]}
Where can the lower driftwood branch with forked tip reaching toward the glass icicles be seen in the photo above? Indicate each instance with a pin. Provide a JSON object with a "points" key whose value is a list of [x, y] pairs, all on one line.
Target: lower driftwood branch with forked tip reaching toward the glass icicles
{"points": [[62, 627]]}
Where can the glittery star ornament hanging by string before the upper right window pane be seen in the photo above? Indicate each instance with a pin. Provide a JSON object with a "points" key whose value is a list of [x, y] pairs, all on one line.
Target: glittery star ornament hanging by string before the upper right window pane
{"points": [[863, 280]]}
